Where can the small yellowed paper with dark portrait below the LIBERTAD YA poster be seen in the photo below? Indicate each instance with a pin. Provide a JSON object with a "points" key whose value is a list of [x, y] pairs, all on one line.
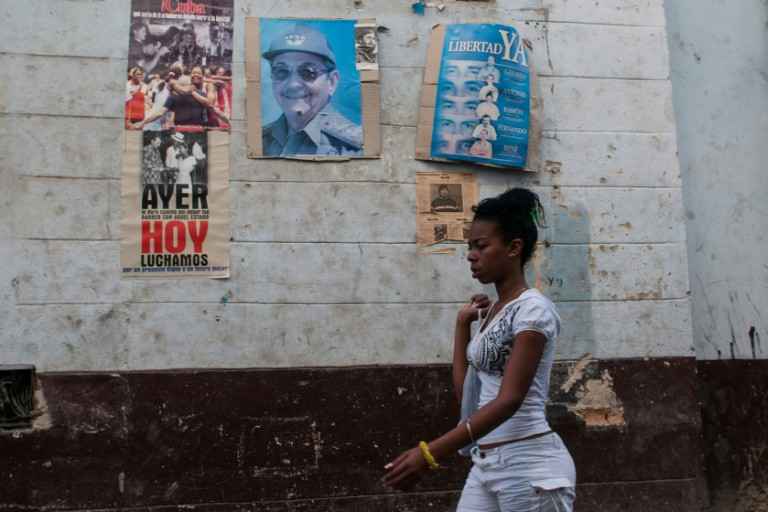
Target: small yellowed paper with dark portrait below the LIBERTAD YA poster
{"points": [[444, 207]]}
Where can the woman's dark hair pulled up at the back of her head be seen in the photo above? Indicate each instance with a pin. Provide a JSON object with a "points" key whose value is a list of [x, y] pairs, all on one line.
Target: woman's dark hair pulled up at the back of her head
{"points": [[519, 214]]}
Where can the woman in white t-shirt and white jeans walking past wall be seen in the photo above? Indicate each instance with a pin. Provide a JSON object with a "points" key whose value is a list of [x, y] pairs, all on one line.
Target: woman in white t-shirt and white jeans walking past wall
{"points": [[501, 375]]}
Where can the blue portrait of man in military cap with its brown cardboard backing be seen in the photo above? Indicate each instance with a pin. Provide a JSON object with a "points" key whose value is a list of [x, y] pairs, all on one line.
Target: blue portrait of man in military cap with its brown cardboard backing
{"points": [[312, 89]]}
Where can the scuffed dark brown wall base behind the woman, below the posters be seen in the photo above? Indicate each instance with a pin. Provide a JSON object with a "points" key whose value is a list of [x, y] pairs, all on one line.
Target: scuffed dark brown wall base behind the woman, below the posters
{"points": [[316, 439]]}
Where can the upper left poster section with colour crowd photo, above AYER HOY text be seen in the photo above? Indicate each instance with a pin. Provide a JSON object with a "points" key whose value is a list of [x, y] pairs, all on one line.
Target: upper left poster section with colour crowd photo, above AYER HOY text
{"points": [[179, 66]]}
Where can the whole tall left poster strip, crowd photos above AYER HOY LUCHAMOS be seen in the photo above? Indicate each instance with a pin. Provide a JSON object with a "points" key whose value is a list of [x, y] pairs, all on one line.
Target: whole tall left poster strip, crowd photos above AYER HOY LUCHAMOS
{"points": [[178, 107]]}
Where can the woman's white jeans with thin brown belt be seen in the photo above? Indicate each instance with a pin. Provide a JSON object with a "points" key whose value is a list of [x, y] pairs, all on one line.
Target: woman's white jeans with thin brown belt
{"points": [[535, 475]]}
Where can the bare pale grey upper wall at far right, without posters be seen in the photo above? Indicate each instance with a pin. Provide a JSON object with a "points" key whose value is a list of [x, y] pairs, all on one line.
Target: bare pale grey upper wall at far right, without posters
{"points": [[719, 55]]}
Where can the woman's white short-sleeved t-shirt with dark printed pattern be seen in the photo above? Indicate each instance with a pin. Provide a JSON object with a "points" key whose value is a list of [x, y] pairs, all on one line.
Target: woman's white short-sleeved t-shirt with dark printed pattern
{"points": [[489, 350]]}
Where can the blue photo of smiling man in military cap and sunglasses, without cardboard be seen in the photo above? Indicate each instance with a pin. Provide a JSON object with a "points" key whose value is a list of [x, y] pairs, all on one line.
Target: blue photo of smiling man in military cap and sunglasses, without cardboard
{"points": [[310, 89]]}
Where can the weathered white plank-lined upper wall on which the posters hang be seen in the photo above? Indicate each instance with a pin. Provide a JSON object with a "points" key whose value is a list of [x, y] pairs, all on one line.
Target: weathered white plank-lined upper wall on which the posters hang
{"points": [[325, 267]]}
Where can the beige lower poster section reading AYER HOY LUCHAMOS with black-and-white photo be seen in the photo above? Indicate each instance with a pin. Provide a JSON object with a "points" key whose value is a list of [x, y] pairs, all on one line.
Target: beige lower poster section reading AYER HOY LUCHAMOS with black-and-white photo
{"points": [[175, 200]]}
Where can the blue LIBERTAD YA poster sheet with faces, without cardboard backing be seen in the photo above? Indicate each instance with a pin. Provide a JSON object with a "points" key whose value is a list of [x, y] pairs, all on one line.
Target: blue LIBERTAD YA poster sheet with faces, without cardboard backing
{"points": [[482, 107]]}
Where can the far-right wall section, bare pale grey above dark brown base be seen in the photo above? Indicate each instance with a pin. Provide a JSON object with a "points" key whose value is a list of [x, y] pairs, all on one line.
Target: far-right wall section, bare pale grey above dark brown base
{"points": [[719, 61]]}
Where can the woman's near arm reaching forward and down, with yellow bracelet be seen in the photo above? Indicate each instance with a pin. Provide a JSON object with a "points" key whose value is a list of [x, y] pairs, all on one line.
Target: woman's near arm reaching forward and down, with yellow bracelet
{"points": [[518, 375]]}
